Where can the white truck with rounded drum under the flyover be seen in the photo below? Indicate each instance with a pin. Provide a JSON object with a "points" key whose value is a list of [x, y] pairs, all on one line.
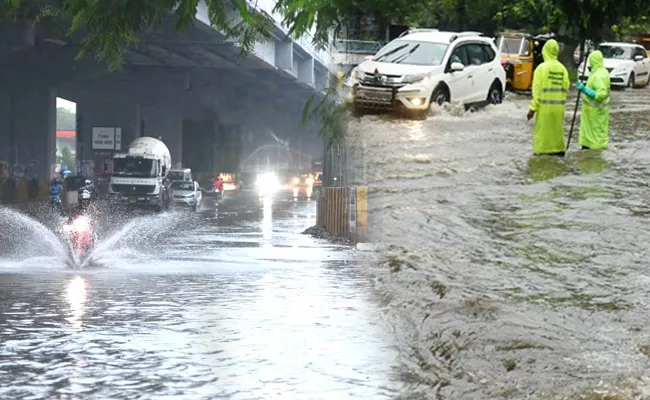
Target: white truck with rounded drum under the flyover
{"points": [[139, 175]]}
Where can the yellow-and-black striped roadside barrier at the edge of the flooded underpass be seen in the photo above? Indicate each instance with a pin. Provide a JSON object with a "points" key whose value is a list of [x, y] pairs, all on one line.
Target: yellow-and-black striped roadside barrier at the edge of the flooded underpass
{"points": [[343, 212]]}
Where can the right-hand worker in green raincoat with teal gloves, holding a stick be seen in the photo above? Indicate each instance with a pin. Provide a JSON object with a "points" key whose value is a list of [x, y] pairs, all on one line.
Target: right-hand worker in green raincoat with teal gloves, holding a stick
{"points": [[594, 119]]}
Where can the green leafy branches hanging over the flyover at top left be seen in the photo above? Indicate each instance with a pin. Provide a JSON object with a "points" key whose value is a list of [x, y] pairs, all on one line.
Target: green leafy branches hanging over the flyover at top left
{"points": [[110, 26]]}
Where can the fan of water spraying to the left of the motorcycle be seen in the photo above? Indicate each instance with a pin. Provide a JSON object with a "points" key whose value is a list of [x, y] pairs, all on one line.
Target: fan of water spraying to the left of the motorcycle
{"points": [[22, 235]]}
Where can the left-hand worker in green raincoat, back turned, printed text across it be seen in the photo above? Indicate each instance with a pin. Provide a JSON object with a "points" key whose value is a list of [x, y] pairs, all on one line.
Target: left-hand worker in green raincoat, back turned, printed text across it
{"points": [[550, 88]]}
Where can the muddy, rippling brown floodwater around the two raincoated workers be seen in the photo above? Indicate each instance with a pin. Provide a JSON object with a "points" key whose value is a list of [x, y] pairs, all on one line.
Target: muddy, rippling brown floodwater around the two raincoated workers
{"points": [[511, 276]]}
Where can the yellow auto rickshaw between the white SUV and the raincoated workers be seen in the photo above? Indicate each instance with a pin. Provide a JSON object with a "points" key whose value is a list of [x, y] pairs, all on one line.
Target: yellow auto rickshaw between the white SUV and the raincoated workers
{"points": [[520, 54]]}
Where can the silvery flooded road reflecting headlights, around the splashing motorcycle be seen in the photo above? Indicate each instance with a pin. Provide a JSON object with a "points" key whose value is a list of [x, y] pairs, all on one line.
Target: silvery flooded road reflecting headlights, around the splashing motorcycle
{"points": [[232, 304]]}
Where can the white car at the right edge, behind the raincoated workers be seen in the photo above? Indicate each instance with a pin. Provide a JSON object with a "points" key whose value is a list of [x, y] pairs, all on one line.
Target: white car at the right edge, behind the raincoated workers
{"points": [[627, 63]]}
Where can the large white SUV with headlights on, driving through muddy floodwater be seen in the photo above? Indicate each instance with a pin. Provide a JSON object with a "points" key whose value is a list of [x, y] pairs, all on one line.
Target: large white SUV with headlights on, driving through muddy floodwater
{"points": [[424, 66]]}
